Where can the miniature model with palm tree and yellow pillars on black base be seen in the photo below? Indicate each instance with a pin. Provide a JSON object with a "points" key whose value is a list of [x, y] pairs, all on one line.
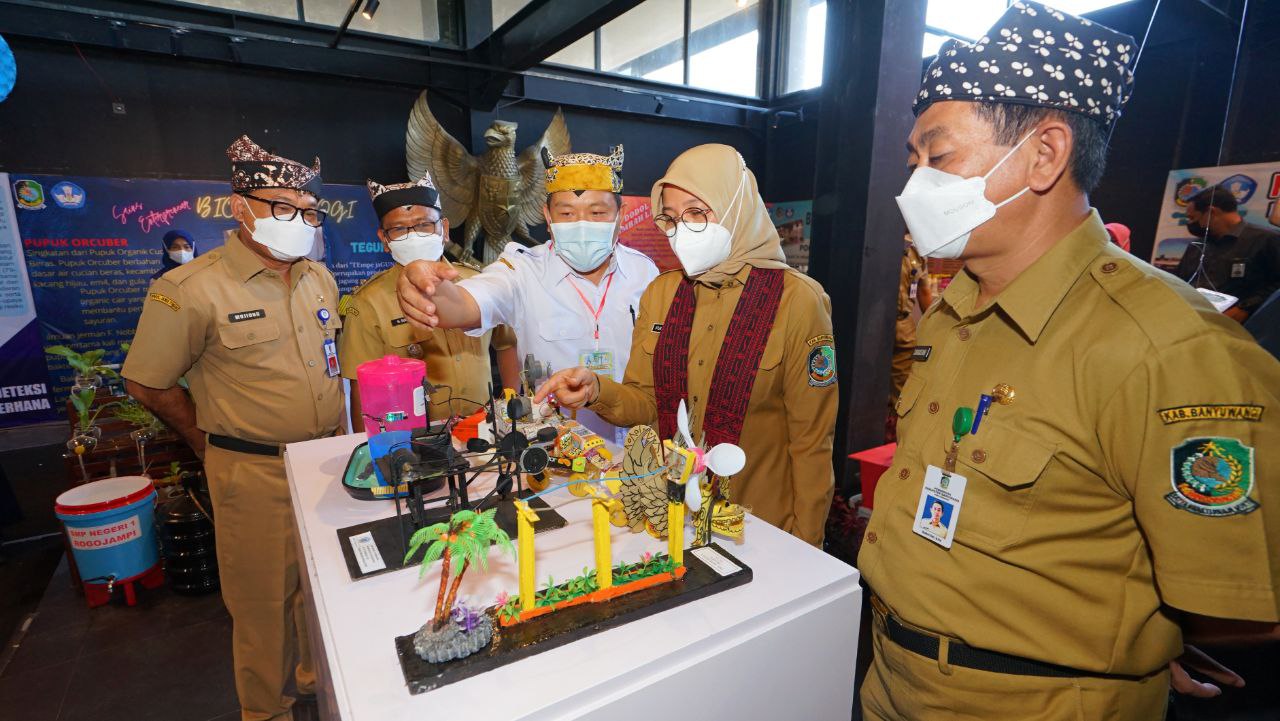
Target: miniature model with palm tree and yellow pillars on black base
{"points": [[461, 642]]}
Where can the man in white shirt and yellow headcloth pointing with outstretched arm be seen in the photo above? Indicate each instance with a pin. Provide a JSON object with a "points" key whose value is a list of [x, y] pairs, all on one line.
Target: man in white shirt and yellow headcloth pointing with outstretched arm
{"points": [[572, 302]]}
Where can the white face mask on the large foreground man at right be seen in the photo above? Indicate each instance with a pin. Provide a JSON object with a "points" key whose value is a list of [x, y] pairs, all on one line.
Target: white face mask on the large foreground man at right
{"points": [[943, 209]]}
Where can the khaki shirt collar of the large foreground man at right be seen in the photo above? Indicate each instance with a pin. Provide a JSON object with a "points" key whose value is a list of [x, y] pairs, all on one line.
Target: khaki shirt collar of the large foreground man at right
{"points": [[1032, 299]]}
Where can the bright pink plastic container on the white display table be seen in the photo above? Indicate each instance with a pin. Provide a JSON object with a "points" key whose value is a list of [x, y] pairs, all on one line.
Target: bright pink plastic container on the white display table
{"points": [[391, 394]]}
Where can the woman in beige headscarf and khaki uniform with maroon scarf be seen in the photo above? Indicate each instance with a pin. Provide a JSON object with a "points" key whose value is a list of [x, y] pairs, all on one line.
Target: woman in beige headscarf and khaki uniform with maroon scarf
{"points": [[738, 335]]}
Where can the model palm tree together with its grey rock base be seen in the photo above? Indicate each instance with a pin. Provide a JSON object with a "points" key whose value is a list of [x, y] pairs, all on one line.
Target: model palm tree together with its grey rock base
{"points": [[455, 629]]}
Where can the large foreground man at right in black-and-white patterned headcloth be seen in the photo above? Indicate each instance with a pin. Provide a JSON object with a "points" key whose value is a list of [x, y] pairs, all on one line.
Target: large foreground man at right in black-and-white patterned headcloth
{"points": [[1100, 431]]}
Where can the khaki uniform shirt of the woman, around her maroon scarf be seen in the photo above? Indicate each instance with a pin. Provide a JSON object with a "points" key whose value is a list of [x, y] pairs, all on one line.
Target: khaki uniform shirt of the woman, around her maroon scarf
{"points": [[792, 417]]}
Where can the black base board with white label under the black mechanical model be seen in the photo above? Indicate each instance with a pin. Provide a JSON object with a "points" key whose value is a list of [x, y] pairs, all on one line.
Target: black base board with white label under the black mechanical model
{"points": [[392, 541]]}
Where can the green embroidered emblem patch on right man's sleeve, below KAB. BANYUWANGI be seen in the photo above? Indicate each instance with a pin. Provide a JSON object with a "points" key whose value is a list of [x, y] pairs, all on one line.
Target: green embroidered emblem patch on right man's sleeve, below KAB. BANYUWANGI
{"points": [[1213, 477]]}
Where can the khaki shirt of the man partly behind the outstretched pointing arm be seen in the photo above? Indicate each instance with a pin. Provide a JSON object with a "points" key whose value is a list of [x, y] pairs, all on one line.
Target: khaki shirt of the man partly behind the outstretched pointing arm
{"points": [[376, 327]]}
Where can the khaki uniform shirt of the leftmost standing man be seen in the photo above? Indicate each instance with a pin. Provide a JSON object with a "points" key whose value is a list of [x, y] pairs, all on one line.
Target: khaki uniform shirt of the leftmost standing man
{"points": [[252, 348]]}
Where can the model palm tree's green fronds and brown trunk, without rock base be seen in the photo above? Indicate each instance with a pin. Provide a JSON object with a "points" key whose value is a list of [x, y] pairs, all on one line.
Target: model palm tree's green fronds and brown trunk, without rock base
{"points": [[459, 544]]}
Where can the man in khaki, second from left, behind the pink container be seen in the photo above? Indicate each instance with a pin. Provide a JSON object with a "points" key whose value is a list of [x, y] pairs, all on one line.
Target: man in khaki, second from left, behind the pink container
{"points": [[412, 227]]}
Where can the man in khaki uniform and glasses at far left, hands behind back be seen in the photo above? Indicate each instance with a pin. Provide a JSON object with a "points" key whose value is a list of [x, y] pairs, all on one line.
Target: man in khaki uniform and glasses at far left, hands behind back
{"points": [[252, 326]]}
